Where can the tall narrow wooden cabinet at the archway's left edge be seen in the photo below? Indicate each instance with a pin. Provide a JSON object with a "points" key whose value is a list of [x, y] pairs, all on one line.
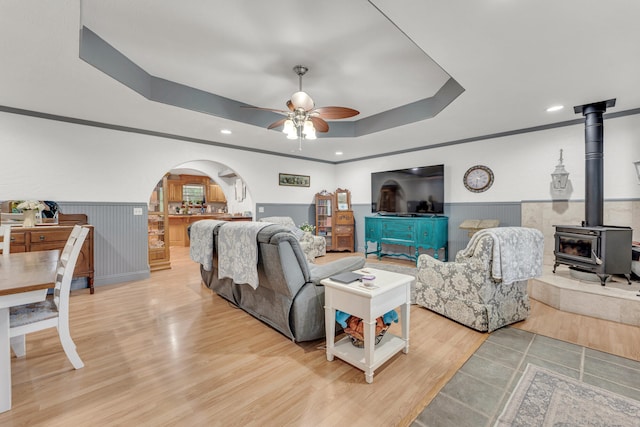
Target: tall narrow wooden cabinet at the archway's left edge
{"points": [[158, 228]]}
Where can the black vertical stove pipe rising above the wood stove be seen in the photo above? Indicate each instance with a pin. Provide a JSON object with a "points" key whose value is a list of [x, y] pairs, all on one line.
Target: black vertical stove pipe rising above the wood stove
{"points": [[594, 170]]}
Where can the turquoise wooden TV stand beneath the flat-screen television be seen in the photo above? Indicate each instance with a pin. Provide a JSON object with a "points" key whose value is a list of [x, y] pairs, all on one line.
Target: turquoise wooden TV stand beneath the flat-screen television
{"points": [[428, 232]]}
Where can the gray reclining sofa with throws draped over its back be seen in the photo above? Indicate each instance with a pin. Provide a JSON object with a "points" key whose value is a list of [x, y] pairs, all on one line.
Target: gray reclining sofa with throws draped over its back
{"points": [[289, 296]]}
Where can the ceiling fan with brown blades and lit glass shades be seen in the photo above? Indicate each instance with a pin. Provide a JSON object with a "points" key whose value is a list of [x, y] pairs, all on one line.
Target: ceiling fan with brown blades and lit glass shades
{"points": [[303, 119]]}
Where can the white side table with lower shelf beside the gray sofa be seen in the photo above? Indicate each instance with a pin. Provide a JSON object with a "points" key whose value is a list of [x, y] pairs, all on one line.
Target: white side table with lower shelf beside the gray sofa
{"points": [[391, 290]]}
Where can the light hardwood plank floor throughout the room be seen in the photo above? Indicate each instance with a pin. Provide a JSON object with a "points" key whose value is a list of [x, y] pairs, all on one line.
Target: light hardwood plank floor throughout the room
{"points": [[167, 351]]}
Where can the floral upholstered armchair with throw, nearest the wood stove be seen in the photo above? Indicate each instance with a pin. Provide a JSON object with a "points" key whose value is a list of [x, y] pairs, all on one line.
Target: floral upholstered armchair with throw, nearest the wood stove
{"points": [[486, 287]]}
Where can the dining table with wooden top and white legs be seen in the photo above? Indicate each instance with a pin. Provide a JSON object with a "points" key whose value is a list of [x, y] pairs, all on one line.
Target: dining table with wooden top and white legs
{"points": [[24, 279]]}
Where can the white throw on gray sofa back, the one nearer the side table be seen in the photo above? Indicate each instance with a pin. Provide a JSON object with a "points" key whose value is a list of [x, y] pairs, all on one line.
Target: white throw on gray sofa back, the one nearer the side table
{"points": [[238, 251]]}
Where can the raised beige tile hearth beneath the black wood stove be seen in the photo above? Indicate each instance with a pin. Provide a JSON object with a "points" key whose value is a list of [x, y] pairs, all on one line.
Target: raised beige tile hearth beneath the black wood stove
{"points": [[616, 301]]}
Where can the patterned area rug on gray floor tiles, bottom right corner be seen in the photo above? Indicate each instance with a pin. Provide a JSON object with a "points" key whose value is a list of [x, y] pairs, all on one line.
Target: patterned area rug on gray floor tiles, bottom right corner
{"points": [[545, 398]]}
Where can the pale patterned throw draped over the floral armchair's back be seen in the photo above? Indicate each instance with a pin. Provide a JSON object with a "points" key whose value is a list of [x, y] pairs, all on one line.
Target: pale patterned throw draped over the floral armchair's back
{"points": [[517, 252]]}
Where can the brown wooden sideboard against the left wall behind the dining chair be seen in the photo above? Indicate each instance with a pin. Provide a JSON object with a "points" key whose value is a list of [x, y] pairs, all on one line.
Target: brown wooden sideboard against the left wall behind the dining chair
{"points": [[47, 237]]}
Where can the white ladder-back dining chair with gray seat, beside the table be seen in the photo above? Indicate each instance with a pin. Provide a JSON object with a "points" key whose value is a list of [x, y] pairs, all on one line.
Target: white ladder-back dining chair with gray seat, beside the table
{"points": [[54, 310]]}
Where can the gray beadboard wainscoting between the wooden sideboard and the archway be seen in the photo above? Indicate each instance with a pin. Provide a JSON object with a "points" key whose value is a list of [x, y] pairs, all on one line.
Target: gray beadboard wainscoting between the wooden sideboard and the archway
{"points": [[120, 240]]}
